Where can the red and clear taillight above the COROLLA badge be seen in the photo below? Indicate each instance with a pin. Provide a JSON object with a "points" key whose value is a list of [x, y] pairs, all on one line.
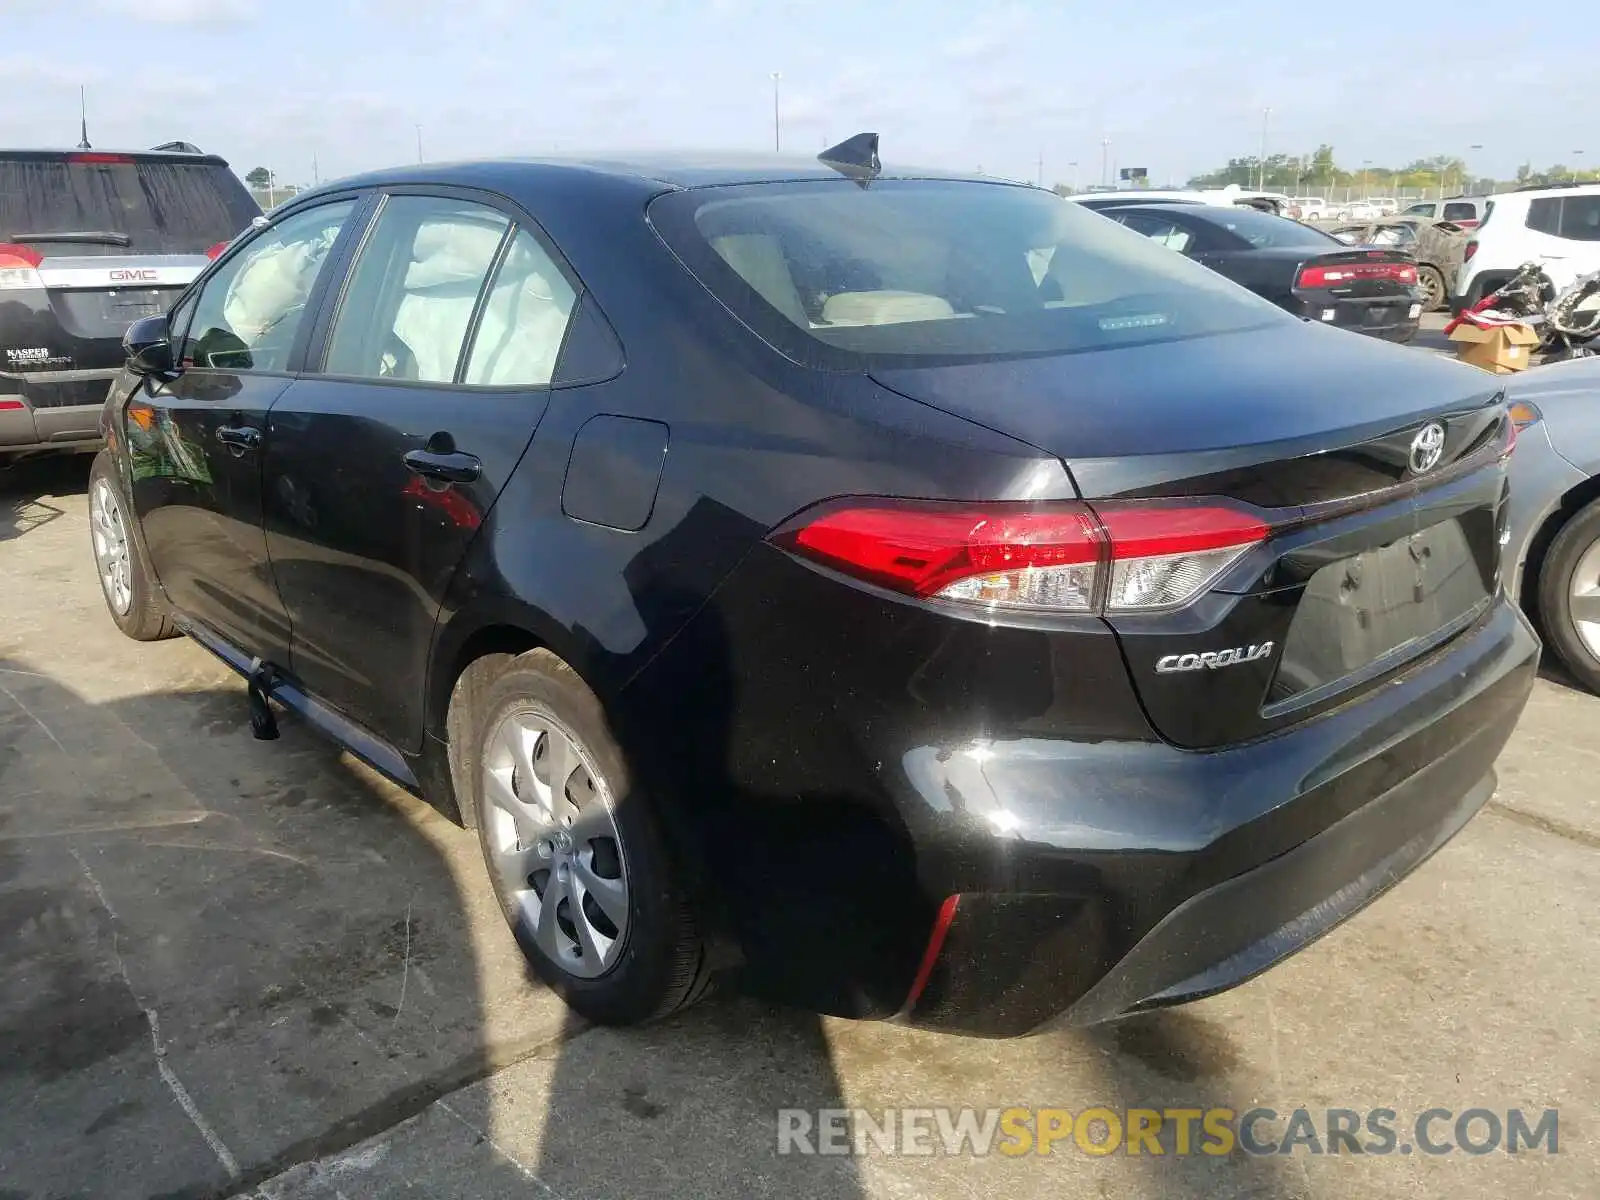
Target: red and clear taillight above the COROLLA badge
{"points": [[1066, 558]]}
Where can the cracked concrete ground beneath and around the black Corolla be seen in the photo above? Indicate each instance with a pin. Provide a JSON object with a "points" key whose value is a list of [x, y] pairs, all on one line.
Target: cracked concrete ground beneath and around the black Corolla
{"points": [[255, 969]]}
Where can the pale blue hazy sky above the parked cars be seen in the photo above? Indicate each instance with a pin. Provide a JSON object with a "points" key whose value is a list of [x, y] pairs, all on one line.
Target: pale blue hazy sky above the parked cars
{"points": [[1178, 87]]}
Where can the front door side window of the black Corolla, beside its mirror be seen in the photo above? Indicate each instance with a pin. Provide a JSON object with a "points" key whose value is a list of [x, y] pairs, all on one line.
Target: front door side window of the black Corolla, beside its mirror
{"points": [[249, 313]]}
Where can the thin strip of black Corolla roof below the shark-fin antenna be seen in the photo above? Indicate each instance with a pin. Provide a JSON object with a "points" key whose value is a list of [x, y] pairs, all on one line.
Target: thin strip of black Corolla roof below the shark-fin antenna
{"points": [[663, 170]]}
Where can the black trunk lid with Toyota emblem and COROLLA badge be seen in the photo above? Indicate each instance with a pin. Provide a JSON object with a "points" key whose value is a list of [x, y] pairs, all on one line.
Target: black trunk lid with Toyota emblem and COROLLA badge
{"points": [[1385, 537]]}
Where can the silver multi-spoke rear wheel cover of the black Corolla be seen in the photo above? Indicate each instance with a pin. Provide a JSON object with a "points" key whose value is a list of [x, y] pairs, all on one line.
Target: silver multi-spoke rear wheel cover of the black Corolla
{"points": [[554, 844]]}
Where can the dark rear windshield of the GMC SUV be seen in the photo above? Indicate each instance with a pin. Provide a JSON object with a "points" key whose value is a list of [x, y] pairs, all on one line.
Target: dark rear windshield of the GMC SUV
{"points": [[153, 207]]}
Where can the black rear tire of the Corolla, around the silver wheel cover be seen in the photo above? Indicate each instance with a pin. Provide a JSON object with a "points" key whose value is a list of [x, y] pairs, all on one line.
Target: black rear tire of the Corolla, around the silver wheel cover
{"points": [[663, 966]]}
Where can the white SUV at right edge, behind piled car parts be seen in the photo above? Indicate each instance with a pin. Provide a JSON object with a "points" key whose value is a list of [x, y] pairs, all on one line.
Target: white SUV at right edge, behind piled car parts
{"points": [[1558, 228]]}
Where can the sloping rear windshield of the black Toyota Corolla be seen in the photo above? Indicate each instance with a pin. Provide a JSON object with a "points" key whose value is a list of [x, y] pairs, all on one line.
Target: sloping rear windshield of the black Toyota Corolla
{"points": [[929, 271]]}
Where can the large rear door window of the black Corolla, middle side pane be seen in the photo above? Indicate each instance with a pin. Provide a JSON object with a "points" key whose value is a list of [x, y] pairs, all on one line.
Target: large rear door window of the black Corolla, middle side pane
{"points": [[414, 290]]}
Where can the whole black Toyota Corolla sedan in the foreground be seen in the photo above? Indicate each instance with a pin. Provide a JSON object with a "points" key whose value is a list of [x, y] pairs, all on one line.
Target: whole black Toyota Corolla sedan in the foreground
{"points": [[908, 596]]}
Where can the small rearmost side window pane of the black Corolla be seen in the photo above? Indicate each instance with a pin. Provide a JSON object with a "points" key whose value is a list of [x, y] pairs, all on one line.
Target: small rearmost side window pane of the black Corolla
{"points": [[524, 321]]}
